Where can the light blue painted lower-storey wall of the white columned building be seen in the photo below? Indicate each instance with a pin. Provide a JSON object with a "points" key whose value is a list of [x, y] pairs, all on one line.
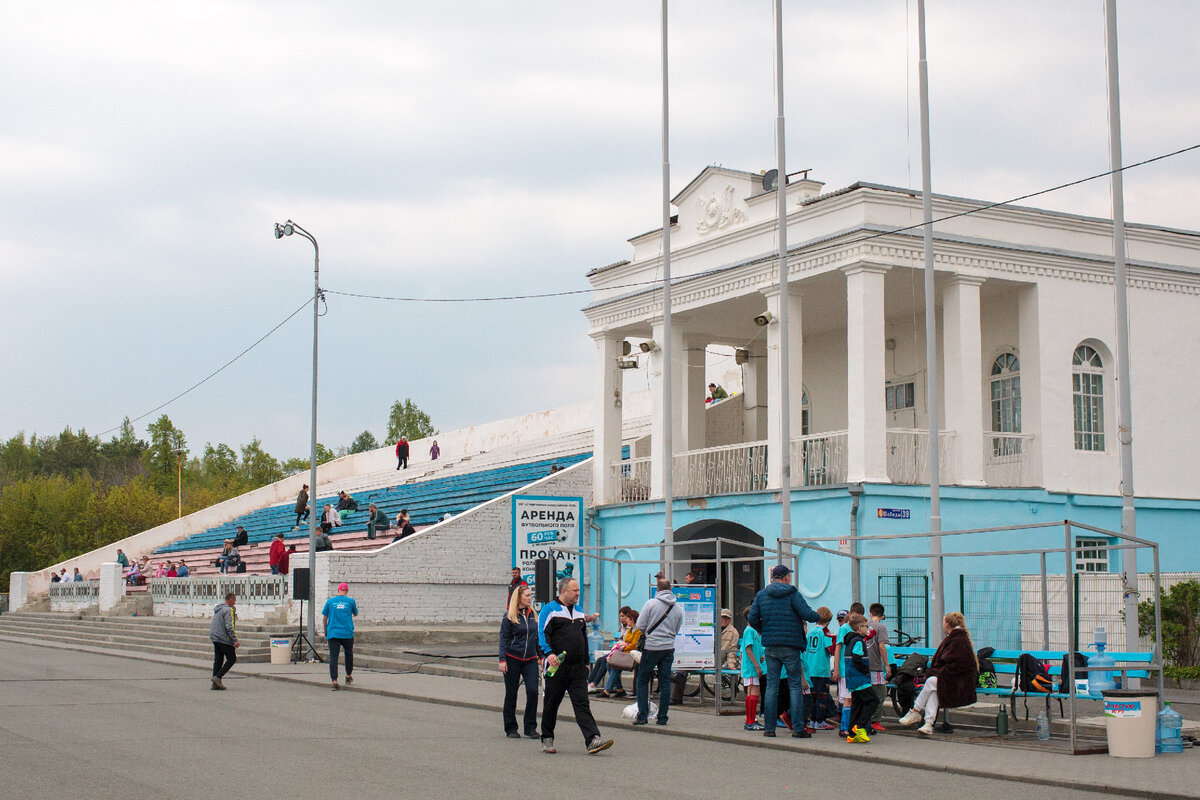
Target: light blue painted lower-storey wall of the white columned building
{"points": [[825, 579]]}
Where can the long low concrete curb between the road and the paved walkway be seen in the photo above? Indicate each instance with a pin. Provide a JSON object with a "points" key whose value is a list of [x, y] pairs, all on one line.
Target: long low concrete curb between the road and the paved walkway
{"points": [[725, 739]]}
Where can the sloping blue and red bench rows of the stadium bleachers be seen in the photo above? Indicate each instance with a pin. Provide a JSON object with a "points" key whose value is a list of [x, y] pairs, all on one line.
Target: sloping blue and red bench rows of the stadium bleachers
{"points": [[428, 502]]}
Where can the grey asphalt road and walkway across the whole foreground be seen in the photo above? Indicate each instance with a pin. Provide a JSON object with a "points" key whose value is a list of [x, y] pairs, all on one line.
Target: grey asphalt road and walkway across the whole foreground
{"points": [[80, 724]]}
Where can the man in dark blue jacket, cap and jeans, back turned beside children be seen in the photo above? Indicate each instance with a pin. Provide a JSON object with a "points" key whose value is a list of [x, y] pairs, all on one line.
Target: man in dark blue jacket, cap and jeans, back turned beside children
{"points": [[779, 613]]}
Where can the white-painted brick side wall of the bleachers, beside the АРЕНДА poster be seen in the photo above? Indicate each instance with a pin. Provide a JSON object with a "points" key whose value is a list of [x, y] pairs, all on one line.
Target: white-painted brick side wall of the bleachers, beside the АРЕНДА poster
{"points": [[455, 572]]}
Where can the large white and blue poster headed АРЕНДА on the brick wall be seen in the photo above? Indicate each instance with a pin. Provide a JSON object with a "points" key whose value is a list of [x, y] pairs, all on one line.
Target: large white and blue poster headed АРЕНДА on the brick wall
{"points": [[541, 524]]}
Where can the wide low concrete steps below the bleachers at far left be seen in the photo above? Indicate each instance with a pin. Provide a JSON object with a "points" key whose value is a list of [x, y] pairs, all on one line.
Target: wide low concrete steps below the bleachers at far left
{"points": [[183, 639]]}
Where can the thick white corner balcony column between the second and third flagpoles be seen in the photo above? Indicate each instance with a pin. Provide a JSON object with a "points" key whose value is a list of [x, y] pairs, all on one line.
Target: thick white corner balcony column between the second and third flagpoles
{"points": [[866, 377]]}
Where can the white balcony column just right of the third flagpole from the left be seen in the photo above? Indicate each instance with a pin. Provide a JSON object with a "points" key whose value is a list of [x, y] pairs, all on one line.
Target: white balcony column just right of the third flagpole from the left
{"points": [[963, 365]]}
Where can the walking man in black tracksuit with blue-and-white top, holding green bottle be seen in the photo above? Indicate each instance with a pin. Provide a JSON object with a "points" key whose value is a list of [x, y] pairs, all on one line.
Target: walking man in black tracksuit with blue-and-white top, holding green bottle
{"points": [[563, 629]]}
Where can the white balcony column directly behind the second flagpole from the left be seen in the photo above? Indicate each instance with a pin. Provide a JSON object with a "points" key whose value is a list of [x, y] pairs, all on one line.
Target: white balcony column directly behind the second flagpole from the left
{"points": [[796, 378]]}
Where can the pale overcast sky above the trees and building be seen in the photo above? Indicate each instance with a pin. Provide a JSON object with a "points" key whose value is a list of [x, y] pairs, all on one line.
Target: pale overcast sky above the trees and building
{"points": [[464, 149]]}
